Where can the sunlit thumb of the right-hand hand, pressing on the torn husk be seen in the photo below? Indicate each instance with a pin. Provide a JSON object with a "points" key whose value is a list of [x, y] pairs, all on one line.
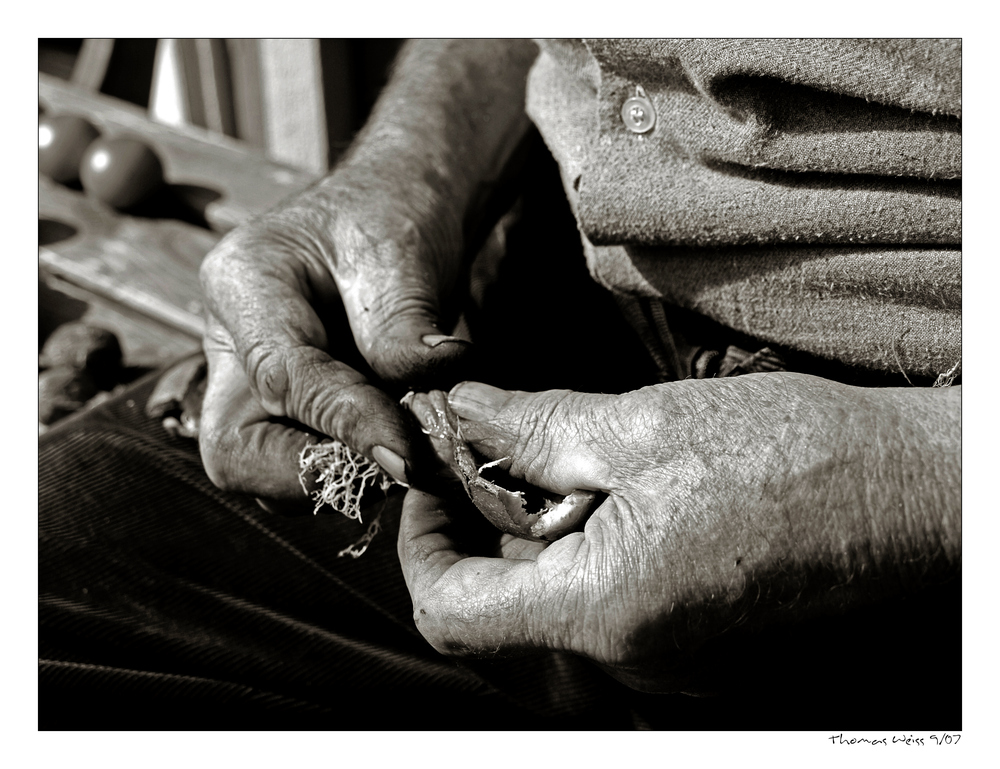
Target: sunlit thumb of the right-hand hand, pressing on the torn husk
{"points": [[554, 439]]}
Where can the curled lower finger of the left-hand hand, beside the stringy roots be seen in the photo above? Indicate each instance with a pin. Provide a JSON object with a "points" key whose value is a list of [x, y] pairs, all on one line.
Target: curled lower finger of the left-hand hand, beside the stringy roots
{"points": [[243, 448]]}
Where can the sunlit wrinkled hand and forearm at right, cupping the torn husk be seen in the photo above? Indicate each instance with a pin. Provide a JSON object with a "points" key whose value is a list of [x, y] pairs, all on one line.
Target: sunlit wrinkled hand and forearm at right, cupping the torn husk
{"points": [[732, 502]]}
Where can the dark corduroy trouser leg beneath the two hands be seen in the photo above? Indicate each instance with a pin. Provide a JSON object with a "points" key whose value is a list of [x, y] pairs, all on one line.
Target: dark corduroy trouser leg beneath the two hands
{"points": [[158, 587]]}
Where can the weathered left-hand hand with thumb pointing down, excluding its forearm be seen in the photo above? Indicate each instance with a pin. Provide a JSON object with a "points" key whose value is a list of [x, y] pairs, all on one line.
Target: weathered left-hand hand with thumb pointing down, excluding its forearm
{"points": [[278, 342]]}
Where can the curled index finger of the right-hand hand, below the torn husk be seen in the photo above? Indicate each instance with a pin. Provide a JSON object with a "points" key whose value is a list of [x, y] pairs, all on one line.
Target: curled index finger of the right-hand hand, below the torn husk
{"points": [[468, 605]]}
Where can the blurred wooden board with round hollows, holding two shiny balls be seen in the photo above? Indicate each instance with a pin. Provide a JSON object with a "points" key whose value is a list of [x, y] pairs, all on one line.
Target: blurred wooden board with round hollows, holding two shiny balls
{"points": [[141, 272]]}
